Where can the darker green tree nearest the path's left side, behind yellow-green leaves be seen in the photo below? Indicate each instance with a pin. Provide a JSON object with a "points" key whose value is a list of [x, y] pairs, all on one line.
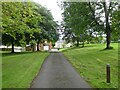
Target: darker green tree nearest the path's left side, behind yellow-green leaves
{"points": [[48, 26]]}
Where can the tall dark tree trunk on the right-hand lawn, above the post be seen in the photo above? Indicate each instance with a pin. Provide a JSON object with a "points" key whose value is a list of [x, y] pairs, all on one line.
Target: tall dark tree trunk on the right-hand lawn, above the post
{"points": [[108, 29]]}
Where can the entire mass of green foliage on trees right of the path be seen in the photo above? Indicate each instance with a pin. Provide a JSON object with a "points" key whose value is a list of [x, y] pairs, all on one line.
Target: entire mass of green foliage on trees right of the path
{"points": [[82, 17]]}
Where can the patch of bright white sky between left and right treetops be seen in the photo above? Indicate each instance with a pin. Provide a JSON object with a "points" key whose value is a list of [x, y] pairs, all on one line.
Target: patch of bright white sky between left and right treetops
{"points": [[53, 6]]}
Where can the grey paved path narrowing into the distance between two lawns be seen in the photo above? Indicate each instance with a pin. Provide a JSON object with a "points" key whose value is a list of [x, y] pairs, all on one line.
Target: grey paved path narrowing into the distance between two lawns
{"points": [[57, 72]]}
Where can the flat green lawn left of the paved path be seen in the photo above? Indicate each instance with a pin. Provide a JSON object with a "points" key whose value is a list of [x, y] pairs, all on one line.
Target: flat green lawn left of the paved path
{"points": [[18, 70]]}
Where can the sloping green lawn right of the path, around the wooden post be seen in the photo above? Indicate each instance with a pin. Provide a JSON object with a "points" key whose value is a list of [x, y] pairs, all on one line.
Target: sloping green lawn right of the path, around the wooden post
{"points": [[91, 61]]}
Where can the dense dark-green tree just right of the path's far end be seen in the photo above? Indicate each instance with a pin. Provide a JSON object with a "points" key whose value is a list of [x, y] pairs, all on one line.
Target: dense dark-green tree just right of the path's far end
{"points": [[76, 20]]}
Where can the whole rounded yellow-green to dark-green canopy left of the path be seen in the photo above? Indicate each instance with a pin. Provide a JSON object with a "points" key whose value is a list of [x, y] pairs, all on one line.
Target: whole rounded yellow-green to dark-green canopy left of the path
{"points": [[26, 23]]}
